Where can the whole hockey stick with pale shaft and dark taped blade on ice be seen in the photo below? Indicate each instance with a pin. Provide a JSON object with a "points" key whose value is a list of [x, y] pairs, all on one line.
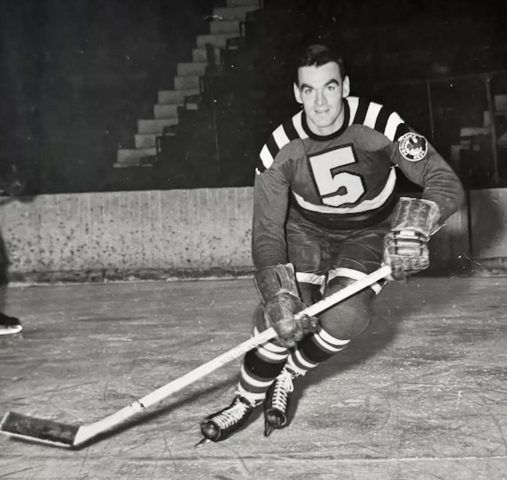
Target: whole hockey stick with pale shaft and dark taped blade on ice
{"points": [[64, 435]]}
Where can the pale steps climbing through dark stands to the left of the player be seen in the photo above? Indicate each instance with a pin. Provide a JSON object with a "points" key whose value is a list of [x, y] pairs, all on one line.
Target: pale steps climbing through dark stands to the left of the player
{"points": [[225, 25]]}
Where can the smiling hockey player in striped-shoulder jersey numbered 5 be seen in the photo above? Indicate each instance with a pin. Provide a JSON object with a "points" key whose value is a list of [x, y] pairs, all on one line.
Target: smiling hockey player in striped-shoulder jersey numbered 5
{"points": [[325, 215]]}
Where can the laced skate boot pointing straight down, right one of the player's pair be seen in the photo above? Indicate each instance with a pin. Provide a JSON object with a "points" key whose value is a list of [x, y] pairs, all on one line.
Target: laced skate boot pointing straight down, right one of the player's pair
{"points": [[276, 406]]}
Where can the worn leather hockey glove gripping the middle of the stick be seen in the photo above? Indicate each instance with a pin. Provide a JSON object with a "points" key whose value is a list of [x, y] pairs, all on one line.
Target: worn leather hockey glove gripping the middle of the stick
{"points": [[280, 302]]}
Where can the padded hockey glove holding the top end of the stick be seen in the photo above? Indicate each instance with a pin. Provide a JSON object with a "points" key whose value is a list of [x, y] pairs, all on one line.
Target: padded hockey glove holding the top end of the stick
{"points": [[406, 245]]}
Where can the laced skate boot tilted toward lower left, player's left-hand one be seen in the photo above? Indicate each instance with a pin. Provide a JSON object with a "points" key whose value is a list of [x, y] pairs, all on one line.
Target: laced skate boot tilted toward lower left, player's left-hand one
{"points": [[222, 424]]}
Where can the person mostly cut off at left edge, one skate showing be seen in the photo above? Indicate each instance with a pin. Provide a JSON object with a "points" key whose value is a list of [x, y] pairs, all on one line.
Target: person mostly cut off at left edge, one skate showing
{"points": [[11, 184]]}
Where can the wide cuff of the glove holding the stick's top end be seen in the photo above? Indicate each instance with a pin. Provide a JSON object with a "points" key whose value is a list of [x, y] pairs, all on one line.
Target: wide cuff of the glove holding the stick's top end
{"points": [[416, 215]]}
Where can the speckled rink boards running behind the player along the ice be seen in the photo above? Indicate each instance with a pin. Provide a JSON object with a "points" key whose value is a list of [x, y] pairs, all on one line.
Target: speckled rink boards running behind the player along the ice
{"points": [[193, 233]]}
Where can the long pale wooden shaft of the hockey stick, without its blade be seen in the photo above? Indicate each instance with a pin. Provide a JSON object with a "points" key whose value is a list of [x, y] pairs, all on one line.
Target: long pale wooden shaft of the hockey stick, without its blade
{"points": [[191, 377]]}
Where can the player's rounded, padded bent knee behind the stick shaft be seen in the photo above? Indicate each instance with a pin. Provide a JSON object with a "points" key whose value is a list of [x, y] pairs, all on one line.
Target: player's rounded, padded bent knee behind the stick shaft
{"points": [[348, 319]]}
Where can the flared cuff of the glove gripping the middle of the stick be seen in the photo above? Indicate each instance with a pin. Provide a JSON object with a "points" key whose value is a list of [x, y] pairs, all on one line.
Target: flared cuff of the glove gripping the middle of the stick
{"points": [[273, 281]]}
